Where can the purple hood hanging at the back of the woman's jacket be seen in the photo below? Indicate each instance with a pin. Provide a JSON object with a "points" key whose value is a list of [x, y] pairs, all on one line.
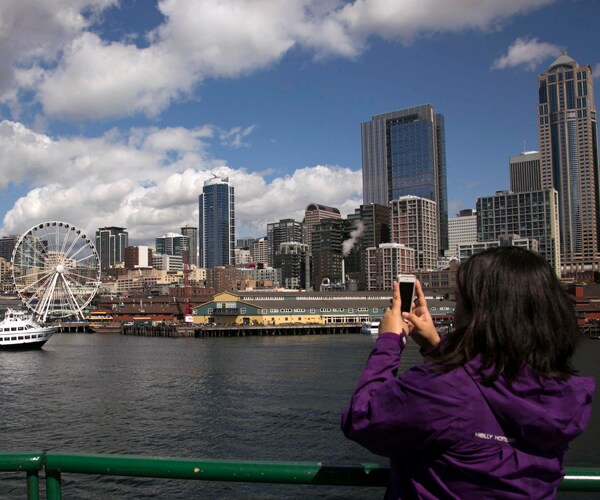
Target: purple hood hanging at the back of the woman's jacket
{"points": [[539, 410]]}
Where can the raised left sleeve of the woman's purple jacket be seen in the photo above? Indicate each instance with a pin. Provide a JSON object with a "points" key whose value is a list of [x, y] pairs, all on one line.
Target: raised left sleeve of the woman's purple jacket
{"points": [[397, 416]]}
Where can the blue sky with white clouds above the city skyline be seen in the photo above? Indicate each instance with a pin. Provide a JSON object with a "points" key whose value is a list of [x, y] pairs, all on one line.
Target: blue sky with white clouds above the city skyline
{"points": [[115, 113]]}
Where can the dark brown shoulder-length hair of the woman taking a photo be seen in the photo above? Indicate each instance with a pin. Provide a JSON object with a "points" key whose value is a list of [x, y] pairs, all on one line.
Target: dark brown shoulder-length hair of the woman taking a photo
{"points": [[514, 312]]}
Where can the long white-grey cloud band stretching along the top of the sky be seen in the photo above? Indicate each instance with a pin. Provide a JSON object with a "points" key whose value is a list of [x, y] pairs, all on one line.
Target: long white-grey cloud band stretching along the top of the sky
{"points": [[49, 50]]}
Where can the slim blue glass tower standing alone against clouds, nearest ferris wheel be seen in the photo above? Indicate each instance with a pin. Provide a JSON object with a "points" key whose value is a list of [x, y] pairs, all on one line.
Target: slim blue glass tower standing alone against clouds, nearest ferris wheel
{"points": [[216, 224]]}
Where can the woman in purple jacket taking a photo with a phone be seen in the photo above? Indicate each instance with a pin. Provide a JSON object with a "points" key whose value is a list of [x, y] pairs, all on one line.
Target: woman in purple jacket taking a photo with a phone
{"points": [[492, 410]]}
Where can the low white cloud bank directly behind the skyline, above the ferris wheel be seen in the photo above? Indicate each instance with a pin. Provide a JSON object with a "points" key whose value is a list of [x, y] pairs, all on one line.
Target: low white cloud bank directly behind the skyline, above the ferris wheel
{"points": [[148, 180]]}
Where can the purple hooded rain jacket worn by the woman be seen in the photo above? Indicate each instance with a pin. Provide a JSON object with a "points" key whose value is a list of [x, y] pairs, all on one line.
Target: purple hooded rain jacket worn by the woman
{"points": [[449, 436]]}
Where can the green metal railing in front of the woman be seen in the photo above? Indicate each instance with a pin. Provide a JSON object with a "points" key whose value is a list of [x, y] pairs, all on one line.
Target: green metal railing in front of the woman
{"points": [[54, 464]]}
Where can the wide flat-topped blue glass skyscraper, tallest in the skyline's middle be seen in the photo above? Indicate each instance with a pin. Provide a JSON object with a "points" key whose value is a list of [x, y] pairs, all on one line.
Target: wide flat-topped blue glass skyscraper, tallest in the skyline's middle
{"points": [[404, 153]]}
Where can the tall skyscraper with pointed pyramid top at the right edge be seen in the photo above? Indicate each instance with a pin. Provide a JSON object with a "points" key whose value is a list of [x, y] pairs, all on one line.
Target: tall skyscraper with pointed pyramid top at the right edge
{"points": [[568, 134]]}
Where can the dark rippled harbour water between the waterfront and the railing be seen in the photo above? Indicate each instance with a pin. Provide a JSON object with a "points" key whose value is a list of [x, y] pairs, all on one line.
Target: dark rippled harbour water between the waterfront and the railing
{"points": [[252, 398]]}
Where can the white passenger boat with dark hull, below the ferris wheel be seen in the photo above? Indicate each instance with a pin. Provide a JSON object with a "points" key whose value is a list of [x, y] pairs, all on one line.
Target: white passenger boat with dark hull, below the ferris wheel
{"points": [[18, 330]]}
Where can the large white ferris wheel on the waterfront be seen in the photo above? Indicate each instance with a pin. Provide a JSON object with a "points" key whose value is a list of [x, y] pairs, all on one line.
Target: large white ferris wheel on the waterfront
{"points": [[55, 270]]}
